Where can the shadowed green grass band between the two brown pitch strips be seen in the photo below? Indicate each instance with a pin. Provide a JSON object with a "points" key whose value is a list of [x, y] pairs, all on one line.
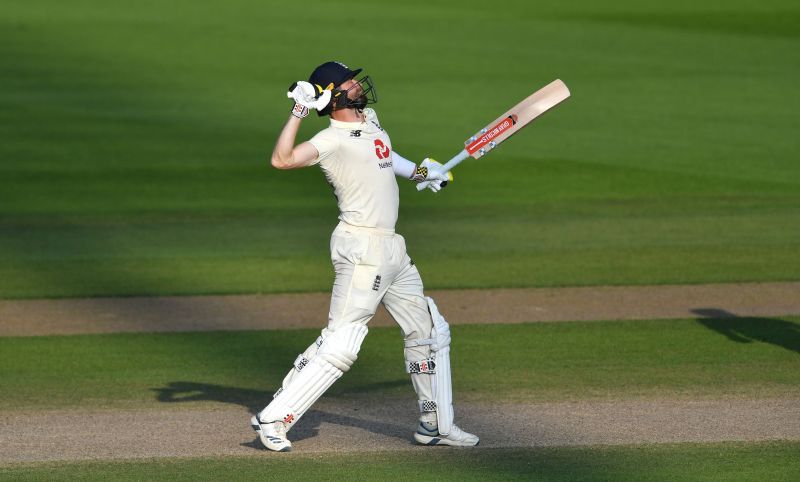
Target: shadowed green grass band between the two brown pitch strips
{"points": [[741, 358]]}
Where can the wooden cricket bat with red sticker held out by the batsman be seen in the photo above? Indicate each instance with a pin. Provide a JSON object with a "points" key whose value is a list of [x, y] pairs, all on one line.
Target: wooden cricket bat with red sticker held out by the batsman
{"points": [[509, 123]]}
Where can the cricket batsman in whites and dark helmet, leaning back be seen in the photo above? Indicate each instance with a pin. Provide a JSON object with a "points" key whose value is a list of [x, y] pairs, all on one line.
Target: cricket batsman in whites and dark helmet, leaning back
{"points": [[369, 259]]}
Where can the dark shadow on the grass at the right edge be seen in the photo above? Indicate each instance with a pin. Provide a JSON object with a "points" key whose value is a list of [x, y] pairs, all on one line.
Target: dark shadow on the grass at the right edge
{"points": [[774, 331]]}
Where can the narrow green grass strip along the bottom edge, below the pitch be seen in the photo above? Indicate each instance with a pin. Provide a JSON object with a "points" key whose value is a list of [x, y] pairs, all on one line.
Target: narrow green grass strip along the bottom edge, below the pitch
{"points": [[775, 461]]}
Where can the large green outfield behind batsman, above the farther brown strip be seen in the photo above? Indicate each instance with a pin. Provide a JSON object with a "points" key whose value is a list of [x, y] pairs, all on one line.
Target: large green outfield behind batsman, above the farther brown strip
{"points": [[135, 141]]}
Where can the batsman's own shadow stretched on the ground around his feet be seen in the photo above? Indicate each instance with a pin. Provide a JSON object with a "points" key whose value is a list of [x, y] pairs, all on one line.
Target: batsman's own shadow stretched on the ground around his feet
{"points": [[255, 400]]}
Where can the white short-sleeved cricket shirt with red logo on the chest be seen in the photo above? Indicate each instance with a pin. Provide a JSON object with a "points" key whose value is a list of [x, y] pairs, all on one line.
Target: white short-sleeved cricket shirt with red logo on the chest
{"points": [[356, 158]]}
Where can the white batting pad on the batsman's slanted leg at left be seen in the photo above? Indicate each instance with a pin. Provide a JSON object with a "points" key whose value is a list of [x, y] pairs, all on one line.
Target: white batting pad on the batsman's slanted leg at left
{"points": [[336, 355]]}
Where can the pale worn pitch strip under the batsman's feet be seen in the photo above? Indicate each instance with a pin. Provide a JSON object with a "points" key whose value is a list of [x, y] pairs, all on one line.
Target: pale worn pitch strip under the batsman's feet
{"points": [[342, 426]]}
